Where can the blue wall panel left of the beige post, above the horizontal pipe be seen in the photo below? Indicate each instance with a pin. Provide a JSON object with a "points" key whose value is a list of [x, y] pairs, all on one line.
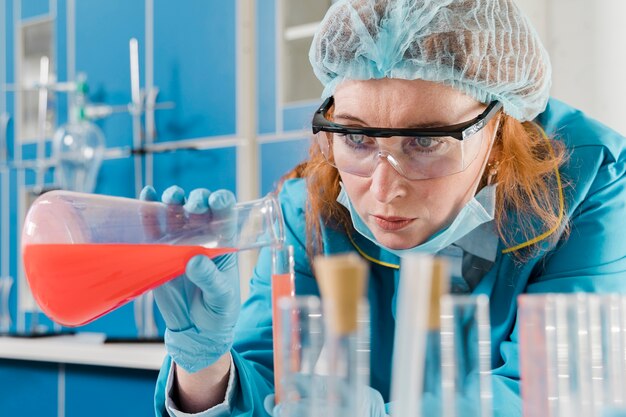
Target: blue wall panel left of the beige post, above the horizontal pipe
{"points": [[194, 66]]}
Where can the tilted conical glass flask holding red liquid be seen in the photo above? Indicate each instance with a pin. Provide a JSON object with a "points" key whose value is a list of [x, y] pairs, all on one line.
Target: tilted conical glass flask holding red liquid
{"points": [[87, 254]]}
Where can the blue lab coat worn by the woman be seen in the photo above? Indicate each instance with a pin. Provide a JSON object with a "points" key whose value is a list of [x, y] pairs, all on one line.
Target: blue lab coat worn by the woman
{"points": [[592, 259]]}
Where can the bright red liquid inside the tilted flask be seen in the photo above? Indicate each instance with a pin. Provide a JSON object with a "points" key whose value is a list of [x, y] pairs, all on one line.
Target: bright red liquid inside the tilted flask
{"points": [[77, 283]]}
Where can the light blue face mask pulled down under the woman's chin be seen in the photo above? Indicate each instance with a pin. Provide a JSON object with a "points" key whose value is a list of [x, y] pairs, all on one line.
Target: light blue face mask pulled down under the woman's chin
{"points": [[477, 211]]}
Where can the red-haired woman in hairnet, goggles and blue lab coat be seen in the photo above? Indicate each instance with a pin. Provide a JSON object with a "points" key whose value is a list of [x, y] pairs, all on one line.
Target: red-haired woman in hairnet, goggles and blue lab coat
{"points": [[437, 135]]}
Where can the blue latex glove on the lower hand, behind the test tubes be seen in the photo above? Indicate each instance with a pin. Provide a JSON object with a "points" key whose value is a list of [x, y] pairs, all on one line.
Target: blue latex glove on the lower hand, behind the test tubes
{"points": [[371, 402]]}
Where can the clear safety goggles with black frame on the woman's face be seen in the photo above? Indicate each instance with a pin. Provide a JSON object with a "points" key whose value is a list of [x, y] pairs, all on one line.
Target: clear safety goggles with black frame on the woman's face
{"points": [[415, 153]]}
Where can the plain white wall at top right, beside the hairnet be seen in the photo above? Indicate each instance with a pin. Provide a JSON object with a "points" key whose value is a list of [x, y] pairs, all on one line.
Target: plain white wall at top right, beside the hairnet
{"points": [[587, 45]]}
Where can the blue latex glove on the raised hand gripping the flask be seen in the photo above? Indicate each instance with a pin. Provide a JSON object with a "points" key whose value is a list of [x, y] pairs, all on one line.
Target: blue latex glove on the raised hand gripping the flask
{"points": [[200, 308]]}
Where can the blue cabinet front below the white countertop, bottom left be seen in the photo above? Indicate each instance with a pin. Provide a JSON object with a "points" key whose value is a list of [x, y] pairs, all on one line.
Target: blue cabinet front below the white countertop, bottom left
{"points": [[50, 389]]}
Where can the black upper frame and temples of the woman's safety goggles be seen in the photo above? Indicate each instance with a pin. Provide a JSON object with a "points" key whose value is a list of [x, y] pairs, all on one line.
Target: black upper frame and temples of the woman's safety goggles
{"points": [[459, 131]]}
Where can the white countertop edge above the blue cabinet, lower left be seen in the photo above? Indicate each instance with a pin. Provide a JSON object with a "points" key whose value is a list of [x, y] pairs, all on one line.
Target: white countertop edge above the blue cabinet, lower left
{"points": [[83, 349]]}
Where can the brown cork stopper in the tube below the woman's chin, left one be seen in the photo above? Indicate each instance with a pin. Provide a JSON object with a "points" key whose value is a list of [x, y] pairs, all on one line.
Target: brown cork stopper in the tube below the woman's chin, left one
{"points": [[342, 280]]}
